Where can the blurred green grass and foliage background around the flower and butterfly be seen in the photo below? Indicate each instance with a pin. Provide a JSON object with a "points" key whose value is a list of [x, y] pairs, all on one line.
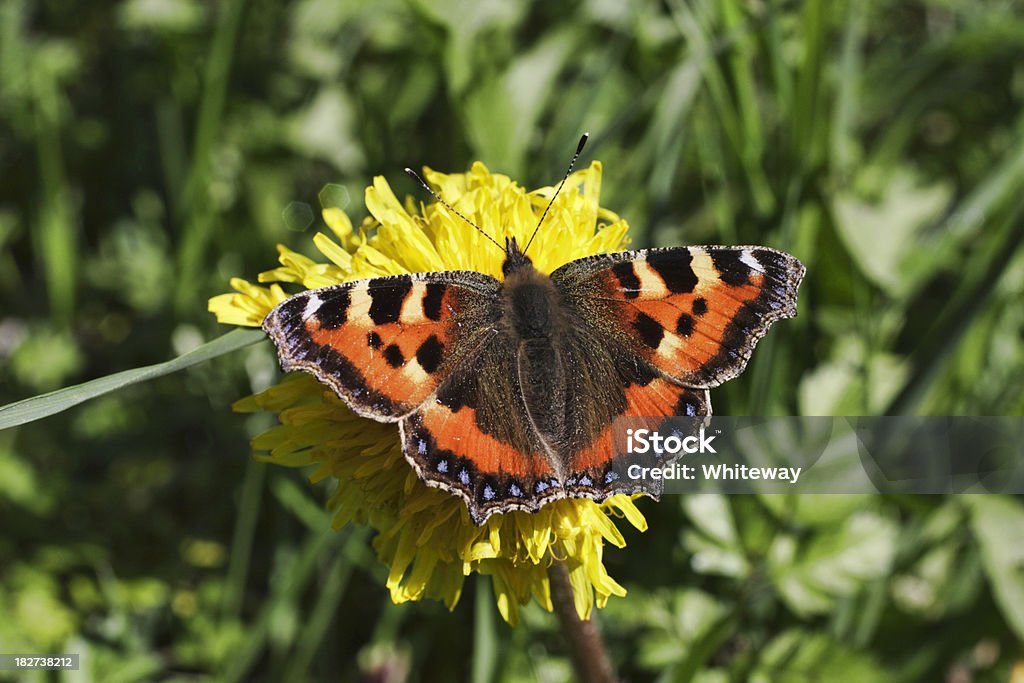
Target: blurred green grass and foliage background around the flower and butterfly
{"points": [[152, 149]]}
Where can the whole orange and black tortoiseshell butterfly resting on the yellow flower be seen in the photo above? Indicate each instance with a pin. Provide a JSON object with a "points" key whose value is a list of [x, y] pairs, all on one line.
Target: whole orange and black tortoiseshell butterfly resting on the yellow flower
{"points": [[506, 392]]}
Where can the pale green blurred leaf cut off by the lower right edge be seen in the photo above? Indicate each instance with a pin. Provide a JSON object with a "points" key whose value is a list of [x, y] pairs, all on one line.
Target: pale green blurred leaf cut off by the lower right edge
{"points": [[996, 520]]}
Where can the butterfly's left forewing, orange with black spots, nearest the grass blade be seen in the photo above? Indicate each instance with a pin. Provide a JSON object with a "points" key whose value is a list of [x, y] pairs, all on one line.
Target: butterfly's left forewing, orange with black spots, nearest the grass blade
{"points": [[386, 345]]}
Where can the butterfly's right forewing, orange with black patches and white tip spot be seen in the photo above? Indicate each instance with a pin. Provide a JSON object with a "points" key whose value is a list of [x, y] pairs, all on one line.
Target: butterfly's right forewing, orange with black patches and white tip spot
{"points": [[694, 313]]}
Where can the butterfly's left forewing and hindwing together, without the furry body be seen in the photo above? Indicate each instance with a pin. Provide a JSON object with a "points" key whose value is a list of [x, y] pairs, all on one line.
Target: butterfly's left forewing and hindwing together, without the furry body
{"points": [[423, 351]]}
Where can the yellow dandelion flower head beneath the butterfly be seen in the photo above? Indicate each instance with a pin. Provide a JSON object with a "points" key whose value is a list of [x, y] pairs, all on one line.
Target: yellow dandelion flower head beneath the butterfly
{"points": [[425, 535]]}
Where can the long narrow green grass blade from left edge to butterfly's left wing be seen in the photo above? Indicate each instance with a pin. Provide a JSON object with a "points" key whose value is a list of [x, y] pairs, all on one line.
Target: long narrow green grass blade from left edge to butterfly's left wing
{"points": [[47, 405]]}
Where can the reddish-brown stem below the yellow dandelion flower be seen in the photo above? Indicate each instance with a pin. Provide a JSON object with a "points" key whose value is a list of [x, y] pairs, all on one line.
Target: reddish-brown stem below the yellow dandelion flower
{"points": [[590, 658]]}
